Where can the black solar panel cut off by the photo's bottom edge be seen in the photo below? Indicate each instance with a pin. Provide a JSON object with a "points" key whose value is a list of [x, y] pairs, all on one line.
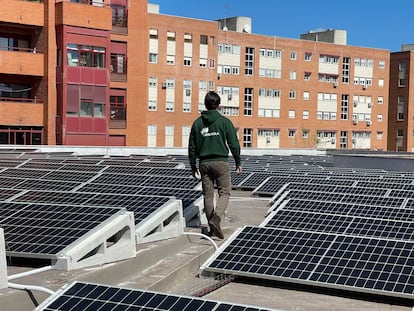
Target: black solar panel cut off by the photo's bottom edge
{"points": [[88, 296]]}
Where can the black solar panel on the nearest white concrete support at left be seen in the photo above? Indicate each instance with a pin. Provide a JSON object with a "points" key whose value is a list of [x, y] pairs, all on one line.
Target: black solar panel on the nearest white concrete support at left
{"points": [[31, 230]]}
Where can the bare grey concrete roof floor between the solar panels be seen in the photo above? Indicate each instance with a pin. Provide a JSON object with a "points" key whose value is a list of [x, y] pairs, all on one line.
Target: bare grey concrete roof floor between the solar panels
{"points": [[172, 266]]}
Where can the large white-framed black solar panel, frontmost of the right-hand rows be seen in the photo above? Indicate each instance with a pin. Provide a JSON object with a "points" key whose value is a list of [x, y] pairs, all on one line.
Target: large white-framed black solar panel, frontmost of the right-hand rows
{"points": [[379, 266]]}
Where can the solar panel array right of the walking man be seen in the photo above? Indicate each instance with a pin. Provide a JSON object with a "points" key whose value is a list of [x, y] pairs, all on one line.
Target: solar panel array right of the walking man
{"points": [[346, 229]]}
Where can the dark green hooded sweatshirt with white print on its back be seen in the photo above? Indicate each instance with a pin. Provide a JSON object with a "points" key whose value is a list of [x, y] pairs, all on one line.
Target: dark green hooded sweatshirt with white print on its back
{"points": [[211, 137]]}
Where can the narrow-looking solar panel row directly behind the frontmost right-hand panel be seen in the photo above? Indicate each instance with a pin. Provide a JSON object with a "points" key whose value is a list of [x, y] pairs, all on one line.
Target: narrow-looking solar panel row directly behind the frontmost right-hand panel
{"points": [[340, 224]]}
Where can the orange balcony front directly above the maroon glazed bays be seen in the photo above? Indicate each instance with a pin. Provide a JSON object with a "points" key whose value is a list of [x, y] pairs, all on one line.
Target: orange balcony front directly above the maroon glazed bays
{"points": [[84, 13]]}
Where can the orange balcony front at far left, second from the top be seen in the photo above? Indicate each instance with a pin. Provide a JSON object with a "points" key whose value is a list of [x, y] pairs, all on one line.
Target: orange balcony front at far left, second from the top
{"points": [[22, 62]]}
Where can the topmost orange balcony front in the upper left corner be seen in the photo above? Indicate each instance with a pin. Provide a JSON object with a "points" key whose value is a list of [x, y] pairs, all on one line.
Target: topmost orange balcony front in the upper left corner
{"points": [[22, 12]]}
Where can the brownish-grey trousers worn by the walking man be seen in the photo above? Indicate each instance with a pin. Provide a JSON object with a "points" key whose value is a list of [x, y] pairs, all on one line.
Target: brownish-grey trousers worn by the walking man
{"points": [[215, 172]]}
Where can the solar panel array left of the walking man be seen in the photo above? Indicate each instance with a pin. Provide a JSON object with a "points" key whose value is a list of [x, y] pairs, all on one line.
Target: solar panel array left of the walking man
{"points": [[34, 186]]}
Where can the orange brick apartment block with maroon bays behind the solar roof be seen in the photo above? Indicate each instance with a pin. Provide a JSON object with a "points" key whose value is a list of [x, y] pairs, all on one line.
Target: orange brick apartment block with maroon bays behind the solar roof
{"points": [[119, 73]]}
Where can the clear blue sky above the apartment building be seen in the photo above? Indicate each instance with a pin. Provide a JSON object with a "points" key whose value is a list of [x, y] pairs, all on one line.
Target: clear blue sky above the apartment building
{"points": [[369, 23]]}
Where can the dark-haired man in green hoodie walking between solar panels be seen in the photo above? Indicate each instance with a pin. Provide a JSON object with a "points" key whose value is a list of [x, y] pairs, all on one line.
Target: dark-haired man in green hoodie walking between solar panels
{"points": [[212, 136]]}
